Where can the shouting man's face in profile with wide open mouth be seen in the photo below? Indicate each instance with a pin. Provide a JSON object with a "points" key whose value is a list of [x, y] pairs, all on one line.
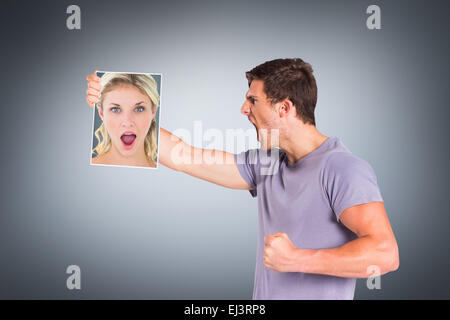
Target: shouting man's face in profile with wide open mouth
{"points": [[262, 114]]}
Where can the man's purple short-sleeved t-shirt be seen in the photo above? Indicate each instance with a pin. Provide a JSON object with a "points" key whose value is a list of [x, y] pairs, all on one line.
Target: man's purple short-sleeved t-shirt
{"points": [[304, 200]]}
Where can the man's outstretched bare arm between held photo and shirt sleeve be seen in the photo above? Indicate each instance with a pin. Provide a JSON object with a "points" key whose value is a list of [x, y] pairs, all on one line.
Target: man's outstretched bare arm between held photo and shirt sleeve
{"points": [[215, 166]]}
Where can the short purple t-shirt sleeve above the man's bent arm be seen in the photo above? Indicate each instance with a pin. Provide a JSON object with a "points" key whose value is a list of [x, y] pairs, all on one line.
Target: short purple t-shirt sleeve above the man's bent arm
{"points": [[349, 181]]}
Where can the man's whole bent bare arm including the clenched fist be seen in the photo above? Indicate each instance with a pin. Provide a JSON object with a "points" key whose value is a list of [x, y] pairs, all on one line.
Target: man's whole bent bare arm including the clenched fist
{"points": [[375, 246]]}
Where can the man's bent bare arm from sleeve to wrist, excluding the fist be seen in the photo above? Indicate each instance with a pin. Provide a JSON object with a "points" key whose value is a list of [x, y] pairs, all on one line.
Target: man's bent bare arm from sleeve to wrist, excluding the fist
{"points": [[375, 246]]}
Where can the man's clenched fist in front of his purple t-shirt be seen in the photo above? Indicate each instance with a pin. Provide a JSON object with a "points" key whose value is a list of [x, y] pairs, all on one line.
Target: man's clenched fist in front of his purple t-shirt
{"points": [[280, 253]]}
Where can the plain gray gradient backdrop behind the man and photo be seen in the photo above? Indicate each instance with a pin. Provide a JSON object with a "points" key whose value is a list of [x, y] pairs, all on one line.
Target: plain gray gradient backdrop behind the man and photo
{"points": [[159, 234]]}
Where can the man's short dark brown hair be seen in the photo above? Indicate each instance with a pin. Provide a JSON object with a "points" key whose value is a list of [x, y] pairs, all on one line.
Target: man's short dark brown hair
{"points": [[288, 78]]}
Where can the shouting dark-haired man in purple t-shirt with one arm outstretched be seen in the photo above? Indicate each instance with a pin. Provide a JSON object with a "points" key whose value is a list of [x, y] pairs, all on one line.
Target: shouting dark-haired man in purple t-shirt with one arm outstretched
{"points": [[322, 222]]}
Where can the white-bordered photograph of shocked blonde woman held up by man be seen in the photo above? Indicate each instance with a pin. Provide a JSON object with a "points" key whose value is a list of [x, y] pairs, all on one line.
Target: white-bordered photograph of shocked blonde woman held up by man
{"points": [[126, 123]]}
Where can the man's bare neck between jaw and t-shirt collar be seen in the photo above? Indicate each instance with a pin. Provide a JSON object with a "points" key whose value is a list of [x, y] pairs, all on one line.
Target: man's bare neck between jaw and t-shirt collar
{"points": [[301, 141]]}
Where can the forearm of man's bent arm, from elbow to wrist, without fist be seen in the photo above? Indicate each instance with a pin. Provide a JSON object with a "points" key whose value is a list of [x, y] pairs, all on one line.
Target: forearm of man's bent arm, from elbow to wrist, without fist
{"points": [[350, 260]]}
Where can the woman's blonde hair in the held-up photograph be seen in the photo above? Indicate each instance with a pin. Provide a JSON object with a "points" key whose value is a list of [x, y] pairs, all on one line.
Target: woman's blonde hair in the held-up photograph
{"points": [[147, 85]]}
